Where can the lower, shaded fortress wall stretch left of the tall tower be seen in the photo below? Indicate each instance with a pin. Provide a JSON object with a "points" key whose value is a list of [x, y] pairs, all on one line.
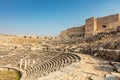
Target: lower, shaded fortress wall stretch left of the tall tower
{"points": [[74, 31]]}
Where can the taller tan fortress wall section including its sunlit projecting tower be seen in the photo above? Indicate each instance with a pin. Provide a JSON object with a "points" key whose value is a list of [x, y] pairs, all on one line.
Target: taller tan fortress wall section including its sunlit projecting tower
{"points": [[102, 24]]}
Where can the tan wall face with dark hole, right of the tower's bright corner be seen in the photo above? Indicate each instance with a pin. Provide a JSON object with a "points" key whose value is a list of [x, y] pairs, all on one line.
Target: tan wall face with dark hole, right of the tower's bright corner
{"points": [[107, 22]]}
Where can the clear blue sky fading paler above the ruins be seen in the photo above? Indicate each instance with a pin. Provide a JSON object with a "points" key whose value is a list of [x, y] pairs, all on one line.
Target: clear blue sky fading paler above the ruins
{"points": [[49, 17]]}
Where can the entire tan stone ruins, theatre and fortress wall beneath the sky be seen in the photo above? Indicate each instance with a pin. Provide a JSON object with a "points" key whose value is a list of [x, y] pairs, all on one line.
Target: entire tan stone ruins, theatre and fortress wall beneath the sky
{"points": [[89, 52]]}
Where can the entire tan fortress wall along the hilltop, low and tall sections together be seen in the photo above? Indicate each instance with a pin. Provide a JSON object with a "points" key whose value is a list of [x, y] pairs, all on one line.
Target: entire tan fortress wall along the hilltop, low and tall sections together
{"points": [[95, 25]]}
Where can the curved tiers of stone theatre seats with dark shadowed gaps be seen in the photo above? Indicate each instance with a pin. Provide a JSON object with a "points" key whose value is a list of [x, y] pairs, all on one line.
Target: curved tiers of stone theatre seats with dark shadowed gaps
{"points": [[56, 63]]}
